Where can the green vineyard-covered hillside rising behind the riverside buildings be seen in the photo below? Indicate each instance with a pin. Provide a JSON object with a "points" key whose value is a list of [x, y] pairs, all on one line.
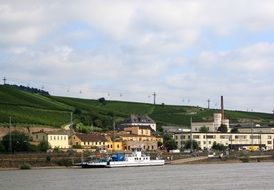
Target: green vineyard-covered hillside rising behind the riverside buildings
{"points": [[27, 108]]}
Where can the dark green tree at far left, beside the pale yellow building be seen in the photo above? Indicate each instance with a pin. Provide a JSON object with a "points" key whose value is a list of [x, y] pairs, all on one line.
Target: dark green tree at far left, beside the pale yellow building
{"points": [[19, 141]]}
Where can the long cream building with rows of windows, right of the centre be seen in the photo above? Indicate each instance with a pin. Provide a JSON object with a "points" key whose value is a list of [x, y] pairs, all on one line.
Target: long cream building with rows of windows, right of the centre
{"points": [[233, 140]]}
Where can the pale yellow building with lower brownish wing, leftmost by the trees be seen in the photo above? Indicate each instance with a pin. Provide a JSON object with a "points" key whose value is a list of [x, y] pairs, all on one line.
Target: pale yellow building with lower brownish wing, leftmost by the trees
{"points": [[56, 139]]}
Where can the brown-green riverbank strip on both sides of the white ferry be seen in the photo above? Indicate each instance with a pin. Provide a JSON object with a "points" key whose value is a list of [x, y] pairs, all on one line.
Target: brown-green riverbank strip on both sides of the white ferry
{"points": [[63, 160]]}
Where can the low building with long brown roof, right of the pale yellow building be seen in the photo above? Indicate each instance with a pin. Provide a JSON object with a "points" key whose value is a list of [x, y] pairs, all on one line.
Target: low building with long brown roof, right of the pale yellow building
{"points": [[89, 141]]}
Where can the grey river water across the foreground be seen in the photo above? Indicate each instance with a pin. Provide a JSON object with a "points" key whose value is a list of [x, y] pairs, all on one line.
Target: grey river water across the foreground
{"points": [[240, 176]]}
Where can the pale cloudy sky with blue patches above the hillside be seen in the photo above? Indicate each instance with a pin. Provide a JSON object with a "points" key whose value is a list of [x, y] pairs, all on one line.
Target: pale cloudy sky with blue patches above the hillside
{"points": [[186, 51]]}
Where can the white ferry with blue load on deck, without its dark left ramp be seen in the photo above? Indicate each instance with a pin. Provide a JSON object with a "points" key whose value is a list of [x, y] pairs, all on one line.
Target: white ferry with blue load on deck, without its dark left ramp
{"points": [[134, 159]]}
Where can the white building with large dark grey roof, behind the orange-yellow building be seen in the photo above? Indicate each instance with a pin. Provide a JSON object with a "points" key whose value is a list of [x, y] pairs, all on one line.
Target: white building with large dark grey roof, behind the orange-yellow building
{"points": [[139, 120]]}
